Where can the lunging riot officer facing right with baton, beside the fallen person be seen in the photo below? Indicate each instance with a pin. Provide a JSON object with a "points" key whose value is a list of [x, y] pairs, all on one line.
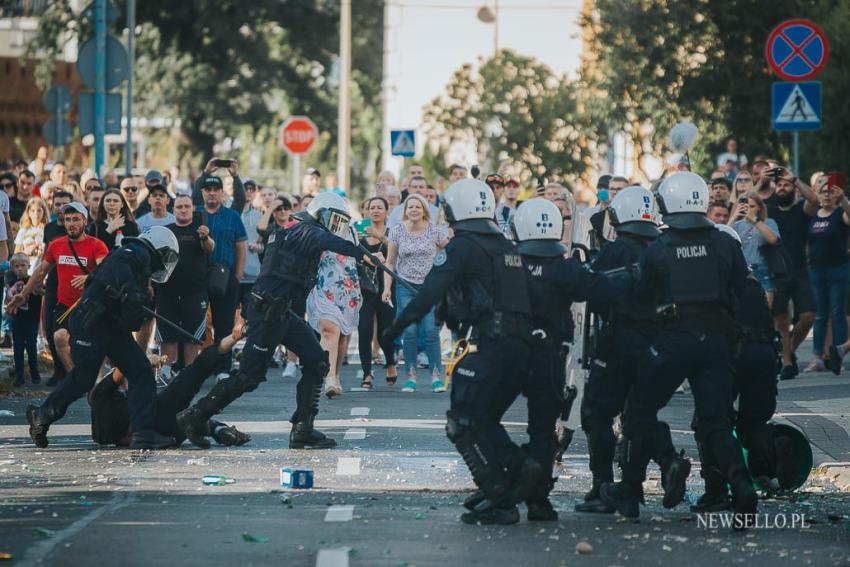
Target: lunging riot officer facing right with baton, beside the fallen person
{"points": [[287, 274]]}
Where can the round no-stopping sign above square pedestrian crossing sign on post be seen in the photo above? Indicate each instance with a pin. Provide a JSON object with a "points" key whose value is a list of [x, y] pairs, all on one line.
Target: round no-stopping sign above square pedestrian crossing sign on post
{"points": [[796, 50]]}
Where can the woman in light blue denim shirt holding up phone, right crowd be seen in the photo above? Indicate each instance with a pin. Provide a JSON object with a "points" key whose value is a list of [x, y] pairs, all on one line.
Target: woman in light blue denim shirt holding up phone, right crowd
{"points": [[756, 230]]}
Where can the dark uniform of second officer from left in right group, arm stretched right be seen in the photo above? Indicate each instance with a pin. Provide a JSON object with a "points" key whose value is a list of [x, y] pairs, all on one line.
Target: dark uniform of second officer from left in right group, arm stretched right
{"points": [[554, 284]]}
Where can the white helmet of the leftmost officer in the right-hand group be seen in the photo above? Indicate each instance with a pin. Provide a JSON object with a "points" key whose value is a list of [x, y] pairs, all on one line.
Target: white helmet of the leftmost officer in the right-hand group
{"points": [[470, 205]]}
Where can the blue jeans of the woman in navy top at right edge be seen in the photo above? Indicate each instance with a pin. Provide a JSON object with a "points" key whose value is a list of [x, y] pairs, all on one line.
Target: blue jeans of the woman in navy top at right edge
{"points": [[830, 286]]}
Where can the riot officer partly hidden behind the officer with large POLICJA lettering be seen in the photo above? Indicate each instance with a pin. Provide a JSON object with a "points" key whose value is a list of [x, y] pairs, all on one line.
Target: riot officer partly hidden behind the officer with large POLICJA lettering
{"points": [[627, 332]]}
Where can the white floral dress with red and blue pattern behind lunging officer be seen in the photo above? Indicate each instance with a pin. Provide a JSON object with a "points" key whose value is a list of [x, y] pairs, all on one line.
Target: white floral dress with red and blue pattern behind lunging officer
{"points": [[336, 296]]}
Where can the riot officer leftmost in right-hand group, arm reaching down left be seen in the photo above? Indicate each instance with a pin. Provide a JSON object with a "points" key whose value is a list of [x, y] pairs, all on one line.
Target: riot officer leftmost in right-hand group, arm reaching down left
{"points": [[482, 278]]}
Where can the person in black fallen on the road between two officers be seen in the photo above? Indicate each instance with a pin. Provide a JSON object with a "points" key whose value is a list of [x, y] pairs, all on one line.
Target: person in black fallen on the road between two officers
{"points": [[110, 413]]}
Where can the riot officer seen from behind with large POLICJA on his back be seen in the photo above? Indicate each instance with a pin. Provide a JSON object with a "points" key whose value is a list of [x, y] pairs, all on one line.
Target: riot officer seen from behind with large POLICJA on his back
{"points": [[695, 275]]}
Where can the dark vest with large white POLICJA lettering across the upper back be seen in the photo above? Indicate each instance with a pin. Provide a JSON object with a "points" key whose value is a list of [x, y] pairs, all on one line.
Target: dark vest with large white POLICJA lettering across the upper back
{"points": [[692, 264]]}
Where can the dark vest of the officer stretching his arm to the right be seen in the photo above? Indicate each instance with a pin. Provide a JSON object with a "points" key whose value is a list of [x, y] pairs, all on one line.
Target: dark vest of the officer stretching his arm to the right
{"points": [[547, 311]]}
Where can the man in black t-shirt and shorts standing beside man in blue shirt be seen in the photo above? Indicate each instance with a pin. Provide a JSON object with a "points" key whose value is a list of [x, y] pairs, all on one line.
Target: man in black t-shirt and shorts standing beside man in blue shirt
{"points": [[183, 298]]}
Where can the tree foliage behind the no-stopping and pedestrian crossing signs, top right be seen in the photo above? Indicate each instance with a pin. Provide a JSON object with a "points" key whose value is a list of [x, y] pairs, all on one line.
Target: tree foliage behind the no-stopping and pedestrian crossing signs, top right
{"points": [[653, 63]]}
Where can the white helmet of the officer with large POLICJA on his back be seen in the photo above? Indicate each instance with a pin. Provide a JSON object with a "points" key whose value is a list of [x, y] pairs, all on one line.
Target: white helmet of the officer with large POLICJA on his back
{"points": [[683, 200]]}
